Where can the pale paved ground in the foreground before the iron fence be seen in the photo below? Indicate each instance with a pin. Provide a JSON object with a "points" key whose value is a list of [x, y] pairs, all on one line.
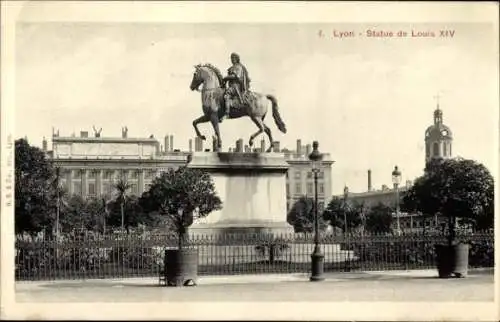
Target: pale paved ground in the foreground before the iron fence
{"points": [[370, 286]]}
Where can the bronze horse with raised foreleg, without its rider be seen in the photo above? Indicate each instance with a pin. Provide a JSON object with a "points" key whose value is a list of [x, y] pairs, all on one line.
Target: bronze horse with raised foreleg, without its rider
{"points": [[212, 100]]}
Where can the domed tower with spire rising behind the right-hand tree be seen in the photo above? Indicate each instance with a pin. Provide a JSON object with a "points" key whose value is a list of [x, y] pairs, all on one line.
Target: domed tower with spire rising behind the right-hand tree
{"points": [[438, 138]]}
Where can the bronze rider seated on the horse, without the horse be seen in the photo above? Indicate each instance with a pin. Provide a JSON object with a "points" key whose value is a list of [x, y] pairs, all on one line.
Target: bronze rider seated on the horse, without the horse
{"points": [[238, 80]]}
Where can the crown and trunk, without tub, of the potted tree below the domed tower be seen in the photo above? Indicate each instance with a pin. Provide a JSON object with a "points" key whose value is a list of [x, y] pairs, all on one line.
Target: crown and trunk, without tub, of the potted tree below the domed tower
{"points": [[453, 188]]}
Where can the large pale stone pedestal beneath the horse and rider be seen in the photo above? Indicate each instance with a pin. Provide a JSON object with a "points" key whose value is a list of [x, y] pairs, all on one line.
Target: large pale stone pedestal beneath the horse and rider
{"points": [[252, 187]]}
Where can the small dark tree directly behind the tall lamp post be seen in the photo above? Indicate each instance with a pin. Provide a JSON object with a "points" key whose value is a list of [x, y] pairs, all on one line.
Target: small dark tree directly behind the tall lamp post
{"points": [[301, 216]]}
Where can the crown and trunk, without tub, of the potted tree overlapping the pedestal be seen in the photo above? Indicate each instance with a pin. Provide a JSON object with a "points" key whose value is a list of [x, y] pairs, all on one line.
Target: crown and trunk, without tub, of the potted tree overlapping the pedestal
{"points": [[181, 195]]}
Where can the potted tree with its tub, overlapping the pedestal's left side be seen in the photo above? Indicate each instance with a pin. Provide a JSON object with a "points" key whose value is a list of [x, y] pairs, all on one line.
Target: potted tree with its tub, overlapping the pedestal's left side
{"points": [[181, 195]]}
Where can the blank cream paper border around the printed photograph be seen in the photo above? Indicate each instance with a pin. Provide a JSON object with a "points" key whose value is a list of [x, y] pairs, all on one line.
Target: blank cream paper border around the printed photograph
{"points": [[142, 11]]}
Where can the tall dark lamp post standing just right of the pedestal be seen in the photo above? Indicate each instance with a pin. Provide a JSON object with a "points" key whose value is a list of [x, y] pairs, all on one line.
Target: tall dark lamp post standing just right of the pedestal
{"points": [[316, 257]]}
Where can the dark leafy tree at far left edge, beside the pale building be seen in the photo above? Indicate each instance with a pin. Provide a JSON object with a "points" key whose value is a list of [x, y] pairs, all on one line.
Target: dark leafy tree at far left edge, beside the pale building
{"points": [[34, 189]]}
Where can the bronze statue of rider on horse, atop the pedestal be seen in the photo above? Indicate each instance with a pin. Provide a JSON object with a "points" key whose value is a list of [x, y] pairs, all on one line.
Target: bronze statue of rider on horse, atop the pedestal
{"points": [[230, 97]]}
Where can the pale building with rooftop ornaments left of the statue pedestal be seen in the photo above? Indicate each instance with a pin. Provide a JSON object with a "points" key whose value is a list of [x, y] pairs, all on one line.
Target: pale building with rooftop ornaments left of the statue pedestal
{"points": [[90, 165]]}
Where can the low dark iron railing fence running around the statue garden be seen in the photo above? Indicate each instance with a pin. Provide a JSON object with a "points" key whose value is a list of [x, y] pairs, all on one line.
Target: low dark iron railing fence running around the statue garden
{"points": [[135, 256]]}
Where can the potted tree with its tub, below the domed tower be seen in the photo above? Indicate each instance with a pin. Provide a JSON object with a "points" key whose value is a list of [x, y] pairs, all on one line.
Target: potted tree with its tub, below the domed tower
{"points": [[452, 188]]}
